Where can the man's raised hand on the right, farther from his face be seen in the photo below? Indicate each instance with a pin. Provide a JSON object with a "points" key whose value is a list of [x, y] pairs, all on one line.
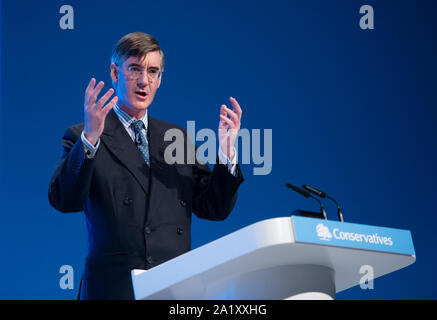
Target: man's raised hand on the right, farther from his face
{"points": [[229, 127]]}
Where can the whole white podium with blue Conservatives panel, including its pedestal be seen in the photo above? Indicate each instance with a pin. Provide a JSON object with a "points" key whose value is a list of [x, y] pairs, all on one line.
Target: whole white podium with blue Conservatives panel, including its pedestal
{"points": [[280, 258]]}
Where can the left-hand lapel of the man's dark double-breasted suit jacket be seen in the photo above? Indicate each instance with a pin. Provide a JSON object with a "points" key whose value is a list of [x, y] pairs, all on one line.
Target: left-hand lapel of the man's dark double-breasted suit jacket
{"points": [[120, 144]]}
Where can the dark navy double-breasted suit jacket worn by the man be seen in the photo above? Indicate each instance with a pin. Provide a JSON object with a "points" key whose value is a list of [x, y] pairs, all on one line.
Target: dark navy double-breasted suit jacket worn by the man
{"points": [[136, 216]]}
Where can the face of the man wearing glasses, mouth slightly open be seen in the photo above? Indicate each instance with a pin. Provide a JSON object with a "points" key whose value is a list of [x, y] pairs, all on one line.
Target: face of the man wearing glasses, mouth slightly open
{"points": [[136, 82]]}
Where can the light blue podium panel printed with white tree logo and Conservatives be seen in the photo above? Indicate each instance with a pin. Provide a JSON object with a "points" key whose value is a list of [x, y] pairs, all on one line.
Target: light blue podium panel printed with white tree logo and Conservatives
{"points": [[351, 235]]}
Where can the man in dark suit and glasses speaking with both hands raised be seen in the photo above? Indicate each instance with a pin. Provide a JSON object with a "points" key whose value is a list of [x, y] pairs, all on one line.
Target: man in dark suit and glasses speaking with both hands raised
{"points": [[114, 167]]}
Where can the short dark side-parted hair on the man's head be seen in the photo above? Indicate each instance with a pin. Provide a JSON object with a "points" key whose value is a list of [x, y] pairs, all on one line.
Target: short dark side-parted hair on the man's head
{"points": [[135, 44]]}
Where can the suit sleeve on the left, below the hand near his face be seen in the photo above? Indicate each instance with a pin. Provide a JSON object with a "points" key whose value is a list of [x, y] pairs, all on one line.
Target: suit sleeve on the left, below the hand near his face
{"points": [[71, 181]]}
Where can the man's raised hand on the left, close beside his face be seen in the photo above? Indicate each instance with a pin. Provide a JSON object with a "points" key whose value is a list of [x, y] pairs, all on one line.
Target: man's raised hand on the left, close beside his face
{"points": [[95, 111]]}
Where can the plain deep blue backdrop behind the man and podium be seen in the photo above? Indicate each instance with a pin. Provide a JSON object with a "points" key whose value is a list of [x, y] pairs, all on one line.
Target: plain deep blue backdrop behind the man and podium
{"points": [[352, 112]]}
